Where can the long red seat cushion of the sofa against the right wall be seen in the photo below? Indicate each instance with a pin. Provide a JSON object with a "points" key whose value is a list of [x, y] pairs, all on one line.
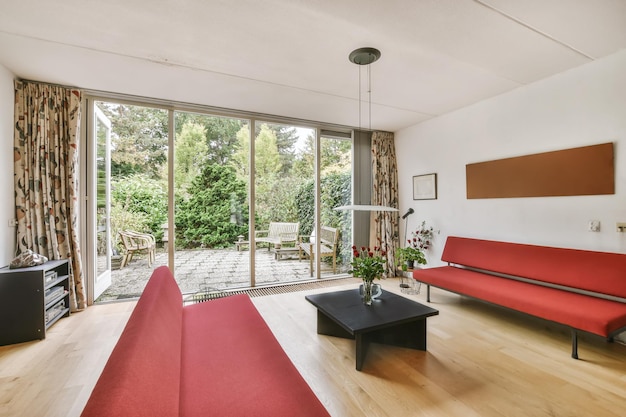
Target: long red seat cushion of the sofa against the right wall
{"points": [[592, 314]]}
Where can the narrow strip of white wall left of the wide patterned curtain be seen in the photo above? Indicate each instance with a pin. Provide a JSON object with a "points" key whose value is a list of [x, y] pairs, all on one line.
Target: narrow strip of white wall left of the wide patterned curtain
{"points": [[7, 197]]}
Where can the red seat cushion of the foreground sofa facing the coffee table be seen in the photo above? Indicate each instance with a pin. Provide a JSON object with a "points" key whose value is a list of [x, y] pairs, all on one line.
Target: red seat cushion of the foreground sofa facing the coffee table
{"points": [[232, 365]]}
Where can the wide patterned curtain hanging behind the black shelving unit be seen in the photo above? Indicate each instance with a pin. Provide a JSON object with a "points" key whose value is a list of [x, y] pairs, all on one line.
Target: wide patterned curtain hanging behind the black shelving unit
{"points": [[47, 123]]}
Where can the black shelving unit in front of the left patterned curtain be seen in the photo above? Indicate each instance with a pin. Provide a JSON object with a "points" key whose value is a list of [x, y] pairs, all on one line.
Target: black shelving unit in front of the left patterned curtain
{"points": [[32, 299]]}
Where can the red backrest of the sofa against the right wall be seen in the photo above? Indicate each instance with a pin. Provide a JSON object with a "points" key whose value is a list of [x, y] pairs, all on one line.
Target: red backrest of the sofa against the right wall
{"points": [[600, 272]]}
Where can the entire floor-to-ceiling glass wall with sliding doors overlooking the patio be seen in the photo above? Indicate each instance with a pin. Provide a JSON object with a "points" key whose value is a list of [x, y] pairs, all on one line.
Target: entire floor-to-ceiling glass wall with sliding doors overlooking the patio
{"points": [[197, 192]]}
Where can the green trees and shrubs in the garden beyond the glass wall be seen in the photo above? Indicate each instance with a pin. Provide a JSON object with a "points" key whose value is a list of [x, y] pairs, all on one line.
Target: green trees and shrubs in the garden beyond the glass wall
{"points": [[211, 170]]}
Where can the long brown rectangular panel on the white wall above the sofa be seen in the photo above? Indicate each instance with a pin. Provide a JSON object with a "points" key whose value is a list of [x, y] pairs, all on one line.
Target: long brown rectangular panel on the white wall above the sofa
{"points": [[579, 171]]}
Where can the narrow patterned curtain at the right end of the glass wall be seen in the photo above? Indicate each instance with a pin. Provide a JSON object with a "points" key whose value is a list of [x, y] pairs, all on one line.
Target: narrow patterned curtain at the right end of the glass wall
{"points": [[385, 193]]}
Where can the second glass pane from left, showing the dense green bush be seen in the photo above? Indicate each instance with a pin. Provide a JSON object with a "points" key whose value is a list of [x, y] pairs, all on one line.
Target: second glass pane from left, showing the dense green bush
{"points": [[211, 177]]}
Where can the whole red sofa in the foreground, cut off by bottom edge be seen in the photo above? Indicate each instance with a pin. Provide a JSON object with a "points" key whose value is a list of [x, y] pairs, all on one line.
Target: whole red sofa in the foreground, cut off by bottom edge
{"points": [[217, 358]]}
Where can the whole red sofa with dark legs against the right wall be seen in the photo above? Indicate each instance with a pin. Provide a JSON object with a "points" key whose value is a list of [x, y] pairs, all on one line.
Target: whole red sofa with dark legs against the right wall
{"points": [[584, 290]]}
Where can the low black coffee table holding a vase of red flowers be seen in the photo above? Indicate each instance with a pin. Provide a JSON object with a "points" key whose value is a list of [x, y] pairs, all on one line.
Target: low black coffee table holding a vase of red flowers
{"points": [[390, 320]]}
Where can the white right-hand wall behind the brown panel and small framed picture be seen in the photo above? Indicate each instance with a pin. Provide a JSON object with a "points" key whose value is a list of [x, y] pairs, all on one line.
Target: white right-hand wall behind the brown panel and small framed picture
{"points": [[581, 107]]}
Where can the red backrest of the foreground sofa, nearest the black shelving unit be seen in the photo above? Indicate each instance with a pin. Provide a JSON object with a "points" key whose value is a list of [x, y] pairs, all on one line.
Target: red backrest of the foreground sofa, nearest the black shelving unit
{"points": [[142, 375]]}
